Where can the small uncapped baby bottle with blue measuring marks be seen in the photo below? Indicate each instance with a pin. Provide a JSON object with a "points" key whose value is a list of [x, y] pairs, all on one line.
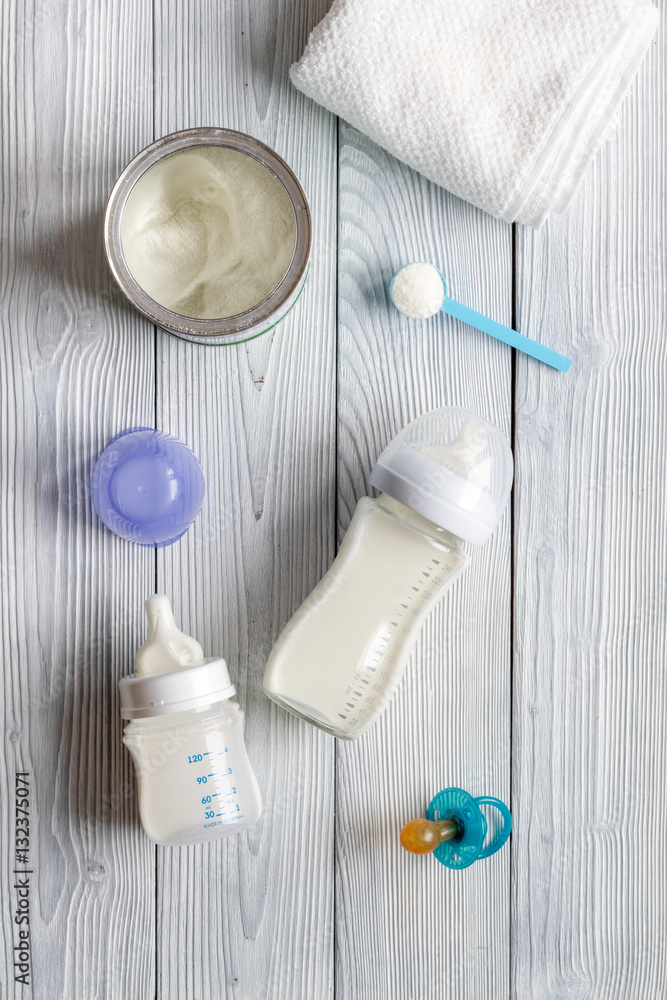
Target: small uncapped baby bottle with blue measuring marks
{"points": [[186, 738]]}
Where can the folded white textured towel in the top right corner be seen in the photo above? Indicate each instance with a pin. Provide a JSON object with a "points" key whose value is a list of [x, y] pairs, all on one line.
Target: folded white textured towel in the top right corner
{"points": [[503, 102]]}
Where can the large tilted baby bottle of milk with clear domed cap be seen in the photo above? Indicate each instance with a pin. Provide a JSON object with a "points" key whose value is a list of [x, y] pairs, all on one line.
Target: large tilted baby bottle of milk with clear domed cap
{"points": [[444, 479]]}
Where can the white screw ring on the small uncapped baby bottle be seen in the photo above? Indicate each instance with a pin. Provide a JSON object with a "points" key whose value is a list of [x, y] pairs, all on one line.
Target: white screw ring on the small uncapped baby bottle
{"points": [[178, 691]]}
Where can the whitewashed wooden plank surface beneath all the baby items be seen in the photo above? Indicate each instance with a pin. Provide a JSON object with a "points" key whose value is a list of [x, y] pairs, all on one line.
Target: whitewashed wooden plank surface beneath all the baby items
{"points": [[541, 677]]}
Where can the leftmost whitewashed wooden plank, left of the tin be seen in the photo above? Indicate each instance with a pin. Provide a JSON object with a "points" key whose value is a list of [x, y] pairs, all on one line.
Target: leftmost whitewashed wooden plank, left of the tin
{"points": [[76, 368]]}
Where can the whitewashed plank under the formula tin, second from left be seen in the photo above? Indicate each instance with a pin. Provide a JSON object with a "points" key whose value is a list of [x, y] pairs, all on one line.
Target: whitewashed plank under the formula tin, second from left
{"points": [[259, 907]]}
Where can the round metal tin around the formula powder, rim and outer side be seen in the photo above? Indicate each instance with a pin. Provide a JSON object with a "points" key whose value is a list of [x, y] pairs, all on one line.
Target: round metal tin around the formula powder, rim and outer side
{"points": [[265, 313]]}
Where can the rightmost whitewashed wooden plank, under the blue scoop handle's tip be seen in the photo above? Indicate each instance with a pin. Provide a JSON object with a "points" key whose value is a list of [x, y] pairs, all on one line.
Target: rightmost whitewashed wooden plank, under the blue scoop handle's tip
{"points": [[589, 800]]}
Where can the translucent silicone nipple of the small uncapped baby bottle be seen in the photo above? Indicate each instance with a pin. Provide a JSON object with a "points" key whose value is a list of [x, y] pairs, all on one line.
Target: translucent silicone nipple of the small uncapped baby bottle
{"points": [[167, 648]]}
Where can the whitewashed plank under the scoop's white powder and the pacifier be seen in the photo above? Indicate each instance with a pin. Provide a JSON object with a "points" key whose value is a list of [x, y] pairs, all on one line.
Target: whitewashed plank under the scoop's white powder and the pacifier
{"points": [[407, 927]]}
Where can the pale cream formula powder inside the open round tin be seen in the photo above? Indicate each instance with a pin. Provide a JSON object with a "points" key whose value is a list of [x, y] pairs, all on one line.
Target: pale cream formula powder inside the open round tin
{"points": [[208, 232]]}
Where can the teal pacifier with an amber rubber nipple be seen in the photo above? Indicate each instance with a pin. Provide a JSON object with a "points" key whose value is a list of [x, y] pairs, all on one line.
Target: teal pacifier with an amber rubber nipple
{"points": [[455, 829]]}
